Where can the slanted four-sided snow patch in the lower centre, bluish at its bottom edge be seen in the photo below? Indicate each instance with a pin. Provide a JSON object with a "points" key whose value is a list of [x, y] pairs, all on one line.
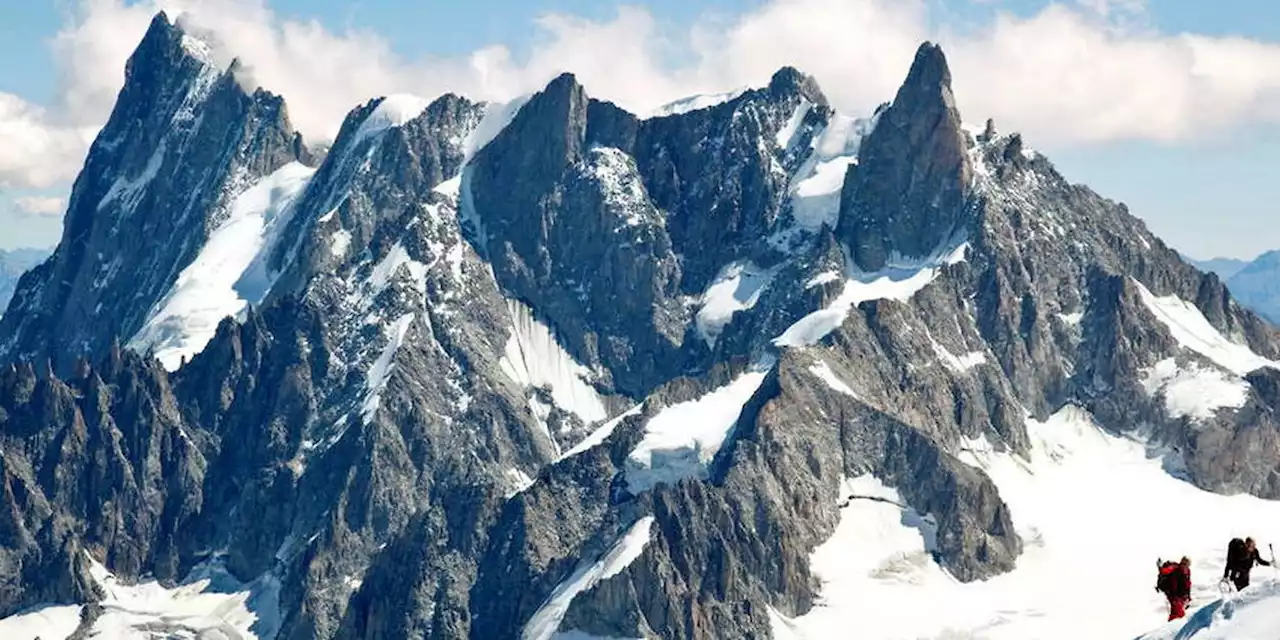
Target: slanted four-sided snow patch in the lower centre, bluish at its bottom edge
{"points": [[684, 438]]}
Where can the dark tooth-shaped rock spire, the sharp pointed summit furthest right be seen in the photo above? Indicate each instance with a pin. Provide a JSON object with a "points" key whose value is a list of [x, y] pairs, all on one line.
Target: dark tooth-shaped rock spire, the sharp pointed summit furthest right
{"points": [[913, 172]]}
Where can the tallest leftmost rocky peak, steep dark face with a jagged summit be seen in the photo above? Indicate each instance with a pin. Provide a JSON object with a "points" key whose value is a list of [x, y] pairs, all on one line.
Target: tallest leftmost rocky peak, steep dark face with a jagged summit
{"points": [[182, 145]]}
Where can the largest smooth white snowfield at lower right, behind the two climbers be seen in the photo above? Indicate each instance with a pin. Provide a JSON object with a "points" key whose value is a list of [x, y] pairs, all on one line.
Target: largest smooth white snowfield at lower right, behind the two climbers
{"points": [[1092, 510]]}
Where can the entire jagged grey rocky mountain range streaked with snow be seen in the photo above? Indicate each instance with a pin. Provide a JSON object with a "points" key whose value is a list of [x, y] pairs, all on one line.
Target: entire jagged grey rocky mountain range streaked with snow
{"points": [[552, 369]]}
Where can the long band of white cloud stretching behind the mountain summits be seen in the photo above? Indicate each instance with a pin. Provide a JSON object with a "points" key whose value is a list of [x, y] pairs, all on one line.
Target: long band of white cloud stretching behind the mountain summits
{"points": [[1086, 72]]}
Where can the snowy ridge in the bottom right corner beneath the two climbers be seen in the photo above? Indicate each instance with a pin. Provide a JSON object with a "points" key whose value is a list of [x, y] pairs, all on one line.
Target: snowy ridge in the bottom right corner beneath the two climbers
{"points": [[1252, 615]]}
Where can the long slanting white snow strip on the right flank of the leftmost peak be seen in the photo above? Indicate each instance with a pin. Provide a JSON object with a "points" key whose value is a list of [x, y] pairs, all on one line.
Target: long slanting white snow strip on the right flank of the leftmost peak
{"points": [[220, 284]]}
